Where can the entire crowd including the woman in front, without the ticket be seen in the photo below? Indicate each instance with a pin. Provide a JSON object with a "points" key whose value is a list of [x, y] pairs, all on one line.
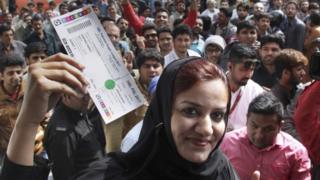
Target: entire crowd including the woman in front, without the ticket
{"points": [[227, 84]]}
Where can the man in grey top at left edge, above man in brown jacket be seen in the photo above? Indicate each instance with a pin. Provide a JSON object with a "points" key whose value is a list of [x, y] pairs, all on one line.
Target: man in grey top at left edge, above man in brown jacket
{"points": [[8, 45]]}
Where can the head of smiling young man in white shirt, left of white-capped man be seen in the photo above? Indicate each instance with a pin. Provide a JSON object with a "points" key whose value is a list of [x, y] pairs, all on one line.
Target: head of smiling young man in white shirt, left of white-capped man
{"points": [[181, 38]]}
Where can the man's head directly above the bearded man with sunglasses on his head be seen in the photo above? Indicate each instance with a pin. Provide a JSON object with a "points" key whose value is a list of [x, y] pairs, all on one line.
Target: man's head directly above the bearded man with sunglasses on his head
{"points": [[247, 33]]}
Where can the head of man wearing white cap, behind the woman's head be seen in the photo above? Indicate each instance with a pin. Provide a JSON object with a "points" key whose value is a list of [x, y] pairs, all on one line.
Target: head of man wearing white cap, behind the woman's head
{"points": [[213, 48]]}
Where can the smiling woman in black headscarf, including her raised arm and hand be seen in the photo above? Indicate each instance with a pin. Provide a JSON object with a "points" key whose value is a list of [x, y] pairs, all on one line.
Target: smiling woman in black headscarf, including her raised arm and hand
{"points": [[181, 133]]}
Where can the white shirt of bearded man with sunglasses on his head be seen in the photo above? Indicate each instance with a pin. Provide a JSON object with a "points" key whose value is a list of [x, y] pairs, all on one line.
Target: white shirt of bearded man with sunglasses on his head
{"points": [[238, 118]]}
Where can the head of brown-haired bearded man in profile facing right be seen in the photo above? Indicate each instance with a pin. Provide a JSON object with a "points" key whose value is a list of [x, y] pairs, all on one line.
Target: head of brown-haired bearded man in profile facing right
{"points": [[290, 66]]}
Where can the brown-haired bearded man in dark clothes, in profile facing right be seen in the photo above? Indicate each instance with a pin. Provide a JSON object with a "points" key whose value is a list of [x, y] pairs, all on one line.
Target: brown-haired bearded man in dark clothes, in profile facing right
{"points": [[290, 71]]}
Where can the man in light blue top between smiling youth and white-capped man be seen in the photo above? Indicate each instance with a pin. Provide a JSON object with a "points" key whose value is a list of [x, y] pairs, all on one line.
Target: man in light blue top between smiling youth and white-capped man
{"points": [[197, 40]]}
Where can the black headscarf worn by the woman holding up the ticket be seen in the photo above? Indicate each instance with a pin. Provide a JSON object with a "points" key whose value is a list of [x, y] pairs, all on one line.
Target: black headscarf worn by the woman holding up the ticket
{"points": [[155, 155]]}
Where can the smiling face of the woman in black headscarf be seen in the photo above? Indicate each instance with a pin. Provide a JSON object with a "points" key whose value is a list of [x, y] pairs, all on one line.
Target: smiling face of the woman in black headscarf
{"points": [[197, 121]]}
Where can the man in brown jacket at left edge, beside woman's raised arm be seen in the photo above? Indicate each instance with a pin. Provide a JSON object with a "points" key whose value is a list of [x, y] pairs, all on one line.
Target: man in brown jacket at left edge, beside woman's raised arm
{"points": [[11, 96]]}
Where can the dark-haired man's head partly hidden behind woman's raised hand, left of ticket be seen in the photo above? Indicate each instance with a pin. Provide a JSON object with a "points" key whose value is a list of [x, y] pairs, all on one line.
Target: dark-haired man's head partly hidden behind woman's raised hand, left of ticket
{"points": [[35, 52]]}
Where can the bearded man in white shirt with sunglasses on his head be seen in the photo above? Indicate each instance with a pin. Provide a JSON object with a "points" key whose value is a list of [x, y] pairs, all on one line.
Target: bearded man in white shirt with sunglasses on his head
{"points": [[241, 65]]}
